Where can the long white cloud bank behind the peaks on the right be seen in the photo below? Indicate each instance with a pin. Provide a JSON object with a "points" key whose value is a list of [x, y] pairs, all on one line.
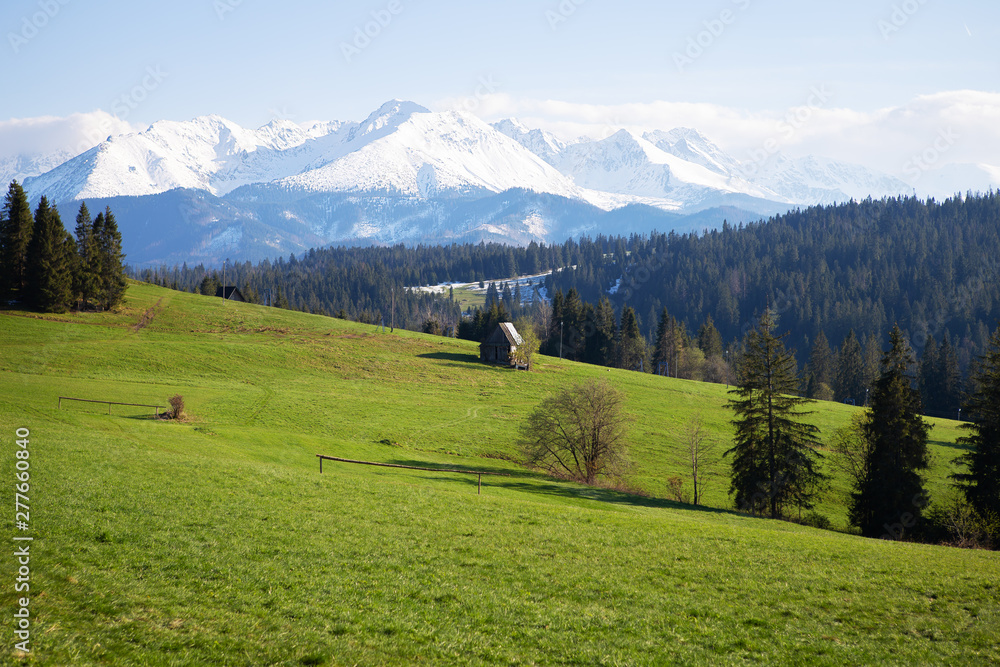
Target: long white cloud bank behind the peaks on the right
{"points": [[892, 140]]}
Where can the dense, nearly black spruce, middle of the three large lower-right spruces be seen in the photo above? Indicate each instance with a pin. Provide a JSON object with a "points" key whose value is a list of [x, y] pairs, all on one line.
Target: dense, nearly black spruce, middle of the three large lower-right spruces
{"points": [[891, 496]]}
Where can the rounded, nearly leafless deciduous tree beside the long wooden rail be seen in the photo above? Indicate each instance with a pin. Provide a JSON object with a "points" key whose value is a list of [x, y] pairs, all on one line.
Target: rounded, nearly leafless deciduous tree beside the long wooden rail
{"points": [[580, 432]]}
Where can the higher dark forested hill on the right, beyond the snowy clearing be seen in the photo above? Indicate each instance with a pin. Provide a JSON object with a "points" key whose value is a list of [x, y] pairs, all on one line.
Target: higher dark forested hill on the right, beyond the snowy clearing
{"points": [[930, 266]]}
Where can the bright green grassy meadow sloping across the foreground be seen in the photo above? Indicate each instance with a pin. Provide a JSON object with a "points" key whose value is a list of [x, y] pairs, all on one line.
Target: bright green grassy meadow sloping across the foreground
{"points": [[217, 542]]}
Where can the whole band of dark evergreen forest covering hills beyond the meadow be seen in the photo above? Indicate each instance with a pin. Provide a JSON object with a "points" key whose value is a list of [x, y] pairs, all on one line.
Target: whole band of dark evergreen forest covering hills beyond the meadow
{"points": [[931, 267]]}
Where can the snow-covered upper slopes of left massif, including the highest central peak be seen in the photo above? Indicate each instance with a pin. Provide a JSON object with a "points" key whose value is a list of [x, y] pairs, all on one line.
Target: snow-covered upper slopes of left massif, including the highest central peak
{"points": [[401, 147]]}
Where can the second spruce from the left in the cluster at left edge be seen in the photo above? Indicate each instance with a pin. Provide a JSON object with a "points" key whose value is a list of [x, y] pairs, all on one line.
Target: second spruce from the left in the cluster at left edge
{"points": [[49, 277]]}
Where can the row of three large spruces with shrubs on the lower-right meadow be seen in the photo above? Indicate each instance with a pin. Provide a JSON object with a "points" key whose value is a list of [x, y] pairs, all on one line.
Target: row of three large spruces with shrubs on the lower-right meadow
{"points": [[774, 460]]}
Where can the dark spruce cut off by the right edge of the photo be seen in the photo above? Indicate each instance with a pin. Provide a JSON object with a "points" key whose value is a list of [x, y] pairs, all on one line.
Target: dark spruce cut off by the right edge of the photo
{"points": [[981, 482]]}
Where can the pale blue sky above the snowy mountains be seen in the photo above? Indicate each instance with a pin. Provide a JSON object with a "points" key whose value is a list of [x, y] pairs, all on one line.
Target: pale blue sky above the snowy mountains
{"points": [[565, 64]]}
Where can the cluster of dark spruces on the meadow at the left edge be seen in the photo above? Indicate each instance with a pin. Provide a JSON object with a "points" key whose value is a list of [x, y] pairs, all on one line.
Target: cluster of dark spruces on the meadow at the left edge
{"points": [[42, 266]]}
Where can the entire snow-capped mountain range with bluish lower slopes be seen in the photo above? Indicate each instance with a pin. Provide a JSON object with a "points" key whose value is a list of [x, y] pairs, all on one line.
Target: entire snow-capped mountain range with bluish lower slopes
{"points": [[406, 174]]}
